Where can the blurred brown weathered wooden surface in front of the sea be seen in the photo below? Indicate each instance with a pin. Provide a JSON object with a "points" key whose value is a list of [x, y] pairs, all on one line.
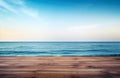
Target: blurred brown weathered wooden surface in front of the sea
{"points": [[59, 67]]}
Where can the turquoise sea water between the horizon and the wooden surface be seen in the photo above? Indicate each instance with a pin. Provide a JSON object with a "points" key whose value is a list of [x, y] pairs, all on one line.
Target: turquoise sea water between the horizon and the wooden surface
{"points": [[59, 48]]}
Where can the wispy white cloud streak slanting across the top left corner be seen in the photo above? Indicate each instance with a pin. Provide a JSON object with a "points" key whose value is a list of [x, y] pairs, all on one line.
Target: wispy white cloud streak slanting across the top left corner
{"points": [[22, 10]]}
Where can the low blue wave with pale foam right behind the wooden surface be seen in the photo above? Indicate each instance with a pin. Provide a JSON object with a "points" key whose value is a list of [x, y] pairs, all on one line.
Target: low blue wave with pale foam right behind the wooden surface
{"points": [[60, 53]]}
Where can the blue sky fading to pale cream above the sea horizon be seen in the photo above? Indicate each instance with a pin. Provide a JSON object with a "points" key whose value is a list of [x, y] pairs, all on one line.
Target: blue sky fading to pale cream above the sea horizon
{"points": [[59, 20]]}
